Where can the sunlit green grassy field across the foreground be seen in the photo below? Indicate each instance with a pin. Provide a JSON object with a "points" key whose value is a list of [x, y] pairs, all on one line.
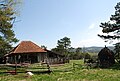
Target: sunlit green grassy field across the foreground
{"points": [[66, 72]]}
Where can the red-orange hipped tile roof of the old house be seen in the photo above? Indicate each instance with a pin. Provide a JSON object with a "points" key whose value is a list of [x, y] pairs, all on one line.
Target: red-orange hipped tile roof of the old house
{"points": [[27, 47]]}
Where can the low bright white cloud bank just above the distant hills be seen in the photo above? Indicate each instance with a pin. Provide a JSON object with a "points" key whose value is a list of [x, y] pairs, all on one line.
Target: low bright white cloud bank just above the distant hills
{"points": [[91, 41]]}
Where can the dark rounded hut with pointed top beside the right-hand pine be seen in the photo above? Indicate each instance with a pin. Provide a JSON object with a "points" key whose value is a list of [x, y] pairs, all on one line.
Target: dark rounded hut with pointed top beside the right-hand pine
{"points": [[106, 57]]}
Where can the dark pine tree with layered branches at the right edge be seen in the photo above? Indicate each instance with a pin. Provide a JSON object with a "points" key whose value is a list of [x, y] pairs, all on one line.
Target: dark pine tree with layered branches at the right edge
{"points": [[112, 29]]}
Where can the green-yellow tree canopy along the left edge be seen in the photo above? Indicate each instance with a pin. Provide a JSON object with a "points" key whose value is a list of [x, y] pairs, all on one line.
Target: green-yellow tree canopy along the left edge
{"points": [[7, 18]]}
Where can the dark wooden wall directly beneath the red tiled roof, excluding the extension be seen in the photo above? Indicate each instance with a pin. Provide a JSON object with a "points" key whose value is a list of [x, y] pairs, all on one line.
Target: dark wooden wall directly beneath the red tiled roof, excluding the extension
{"points": [[30, 58]]}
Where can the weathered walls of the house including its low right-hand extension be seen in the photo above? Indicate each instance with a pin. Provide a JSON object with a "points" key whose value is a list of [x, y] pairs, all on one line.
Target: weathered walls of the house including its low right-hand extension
{"points": [[50, 58]]}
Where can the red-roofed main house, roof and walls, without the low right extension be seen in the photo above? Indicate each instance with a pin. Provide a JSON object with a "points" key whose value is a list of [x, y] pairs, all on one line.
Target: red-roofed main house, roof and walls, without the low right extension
{"points": [[27, 51]]}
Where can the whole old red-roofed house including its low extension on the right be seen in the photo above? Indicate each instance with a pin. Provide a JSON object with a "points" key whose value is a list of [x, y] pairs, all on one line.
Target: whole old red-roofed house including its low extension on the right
{"points": [[28, 51]]}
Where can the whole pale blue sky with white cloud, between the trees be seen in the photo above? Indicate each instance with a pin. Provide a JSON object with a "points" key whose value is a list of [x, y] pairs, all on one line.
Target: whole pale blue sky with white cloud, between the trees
{"points": [[44, 22]]}
